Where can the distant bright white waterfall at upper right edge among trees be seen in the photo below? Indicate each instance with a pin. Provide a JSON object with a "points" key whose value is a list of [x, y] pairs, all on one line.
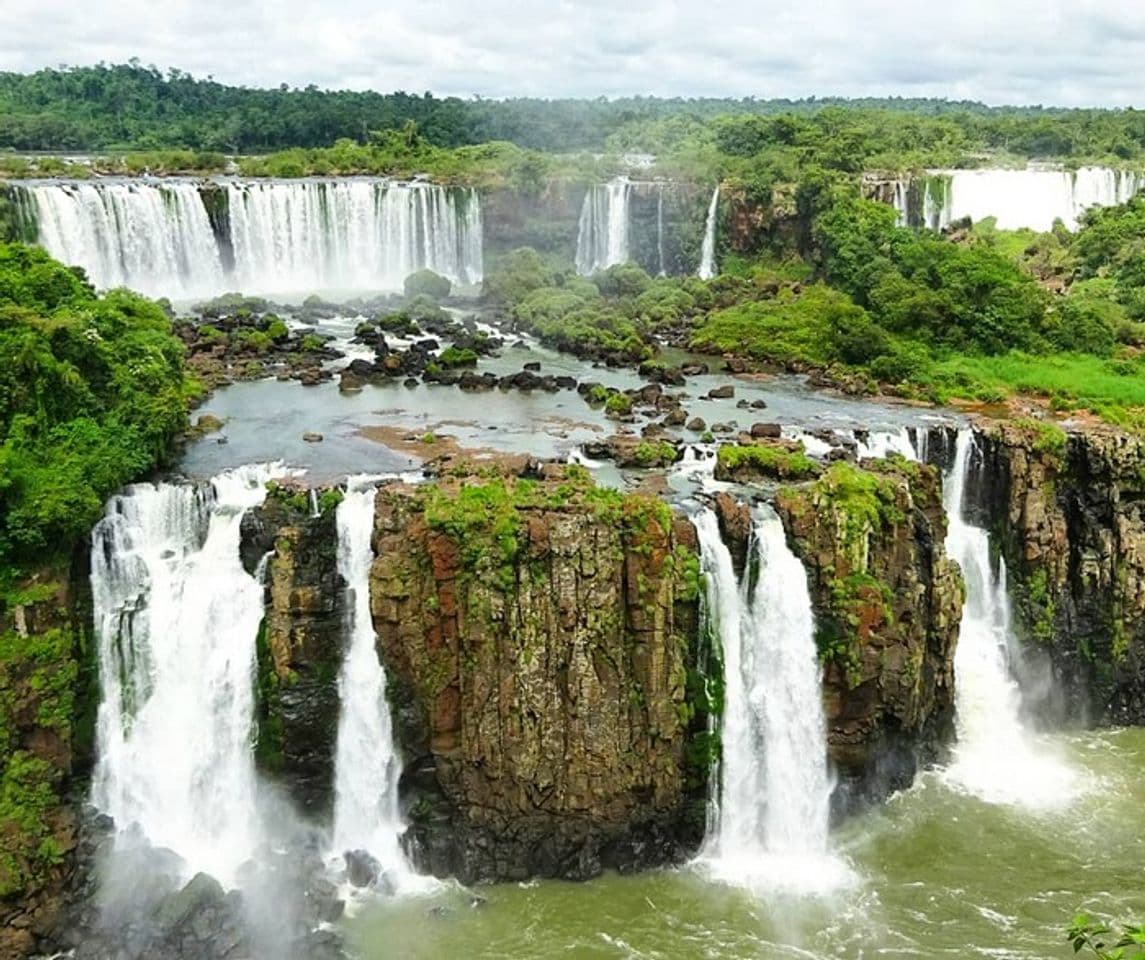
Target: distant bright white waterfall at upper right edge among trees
{"points": [[1018, 199]]}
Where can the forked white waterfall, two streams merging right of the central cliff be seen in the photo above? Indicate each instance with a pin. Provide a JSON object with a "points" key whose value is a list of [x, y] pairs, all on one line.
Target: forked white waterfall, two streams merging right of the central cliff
{"points": [[771, 816]]}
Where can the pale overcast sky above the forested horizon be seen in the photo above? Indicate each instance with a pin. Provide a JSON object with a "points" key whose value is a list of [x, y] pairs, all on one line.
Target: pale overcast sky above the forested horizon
{"points": [[1053, 52]]}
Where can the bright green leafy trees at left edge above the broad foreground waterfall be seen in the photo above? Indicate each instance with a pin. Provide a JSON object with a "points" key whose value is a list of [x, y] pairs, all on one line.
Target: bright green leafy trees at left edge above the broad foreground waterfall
{"points": [[92, 396]]}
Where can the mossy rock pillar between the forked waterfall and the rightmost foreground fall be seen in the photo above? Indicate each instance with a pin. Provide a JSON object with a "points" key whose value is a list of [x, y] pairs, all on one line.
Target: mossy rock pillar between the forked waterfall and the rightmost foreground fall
{"points": [[888, 609]]}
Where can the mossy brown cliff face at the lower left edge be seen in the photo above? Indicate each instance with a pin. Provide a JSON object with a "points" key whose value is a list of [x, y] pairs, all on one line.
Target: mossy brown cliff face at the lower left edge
{"points": [[45, 741]]}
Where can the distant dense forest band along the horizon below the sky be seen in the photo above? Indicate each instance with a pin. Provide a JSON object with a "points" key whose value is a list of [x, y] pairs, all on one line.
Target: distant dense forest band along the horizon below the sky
{"points": [[141, 108]]}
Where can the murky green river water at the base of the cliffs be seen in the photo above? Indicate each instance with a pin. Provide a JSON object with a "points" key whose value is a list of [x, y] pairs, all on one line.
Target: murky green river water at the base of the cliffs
{"points": [[937, 874]]}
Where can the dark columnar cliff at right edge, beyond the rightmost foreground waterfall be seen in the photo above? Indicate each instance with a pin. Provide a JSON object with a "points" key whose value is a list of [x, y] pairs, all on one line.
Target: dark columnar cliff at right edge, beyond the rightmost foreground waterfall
{"points": [[1069, 514]]}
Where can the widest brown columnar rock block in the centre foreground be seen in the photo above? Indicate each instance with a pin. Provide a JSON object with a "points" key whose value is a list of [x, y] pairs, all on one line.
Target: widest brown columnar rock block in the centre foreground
{"points": [[535, 636]]}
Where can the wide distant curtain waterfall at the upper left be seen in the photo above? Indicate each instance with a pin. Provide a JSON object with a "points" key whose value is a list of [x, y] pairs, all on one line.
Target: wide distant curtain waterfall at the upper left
{"points": [[281, 238]]}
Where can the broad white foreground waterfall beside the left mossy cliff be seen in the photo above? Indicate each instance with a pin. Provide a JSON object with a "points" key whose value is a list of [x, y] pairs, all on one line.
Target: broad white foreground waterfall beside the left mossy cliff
{"points": [[177, 619]]}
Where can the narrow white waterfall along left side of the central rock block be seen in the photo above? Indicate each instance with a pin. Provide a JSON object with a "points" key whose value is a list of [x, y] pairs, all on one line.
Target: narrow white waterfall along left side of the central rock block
{"points": [[367, 766]]}
